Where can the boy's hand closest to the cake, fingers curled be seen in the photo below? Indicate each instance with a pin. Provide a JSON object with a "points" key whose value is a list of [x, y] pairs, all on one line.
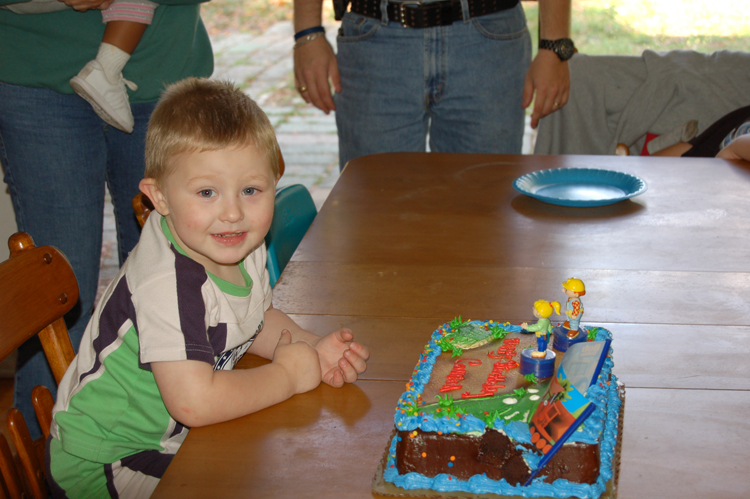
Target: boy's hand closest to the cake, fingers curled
{"points": [[341, 358]]}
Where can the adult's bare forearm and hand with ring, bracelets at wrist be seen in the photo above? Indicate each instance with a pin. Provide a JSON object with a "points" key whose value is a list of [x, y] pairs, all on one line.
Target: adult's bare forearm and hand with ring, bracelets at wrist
{"points": [[315, 66]]}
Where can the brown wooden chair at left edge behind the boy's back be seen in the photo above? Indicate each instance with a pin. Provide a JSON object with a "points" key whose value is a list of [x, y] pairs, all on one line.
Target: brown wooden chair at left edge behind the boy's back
{"points": [[39, 288]]}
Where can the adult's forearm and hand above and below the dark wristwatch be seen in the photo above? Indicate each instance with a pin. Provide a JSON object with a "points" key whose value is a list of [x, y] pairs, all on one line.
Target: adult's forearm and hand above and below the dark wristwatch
{"points": [[548, 79]]}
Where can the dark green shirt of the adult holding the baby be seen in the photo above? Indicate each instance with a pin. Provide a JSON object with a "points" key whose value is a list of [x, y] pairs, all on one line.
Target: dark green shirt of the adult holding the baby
{"points": [[46, 50]]}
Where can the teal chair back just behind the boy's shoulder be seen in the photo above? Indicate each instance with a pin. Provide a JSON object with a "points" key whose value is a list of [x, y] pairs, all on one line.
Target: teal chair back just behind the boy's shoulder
{"points": [[292, 216]]}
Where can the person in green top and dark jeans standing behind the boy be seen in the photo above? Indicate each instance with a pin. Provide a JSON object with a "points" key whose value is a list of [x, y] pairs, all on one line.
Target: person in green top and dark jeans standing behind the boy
{"points": [[57, 154]]}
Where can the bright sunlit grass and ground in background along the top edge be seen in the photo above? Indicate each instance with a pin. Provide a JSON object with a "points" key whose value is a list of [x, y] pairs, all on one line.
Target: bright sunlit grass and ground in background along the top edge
{"points": [[600, 27]]}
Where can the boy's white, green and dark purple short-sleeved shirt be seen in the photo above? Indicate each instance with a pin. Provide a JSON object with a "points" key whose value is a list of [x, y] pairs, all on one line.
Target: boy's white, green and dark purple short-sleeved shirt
{"points": [[162, 306]]}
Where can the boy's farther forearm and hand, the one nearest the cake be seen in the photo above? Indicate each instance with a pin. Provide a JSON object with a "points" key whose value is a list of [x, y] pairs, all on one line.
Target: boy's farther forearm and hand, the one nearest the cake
{"points": [[341, 358]]}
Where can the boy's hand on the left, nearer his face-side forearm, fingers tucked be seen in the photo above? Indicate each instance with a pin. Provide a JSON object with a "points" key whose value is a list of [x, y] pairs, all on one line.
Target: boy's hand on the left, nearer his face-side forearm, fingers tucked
{"points": [[300, 361]]}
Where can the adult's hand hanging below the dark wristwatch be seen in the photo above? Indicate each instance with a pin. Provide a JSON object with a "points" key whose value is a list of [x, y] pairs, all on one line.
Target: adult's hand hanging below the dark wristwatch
{"points": [[549, 78]]}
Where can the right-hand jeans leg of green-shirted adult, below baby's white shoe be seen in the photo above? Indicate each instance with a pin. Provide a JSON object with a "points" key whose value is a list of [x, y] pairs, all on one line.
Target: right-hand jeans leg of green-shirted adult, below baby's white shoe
{"points": [[125, 169]]}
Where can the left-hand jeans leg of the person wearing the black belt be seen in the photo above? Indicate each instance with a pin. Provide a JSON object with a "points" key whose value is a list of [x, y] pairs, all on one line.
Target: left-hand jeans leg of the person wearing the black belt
{"points": [[381, 107]]}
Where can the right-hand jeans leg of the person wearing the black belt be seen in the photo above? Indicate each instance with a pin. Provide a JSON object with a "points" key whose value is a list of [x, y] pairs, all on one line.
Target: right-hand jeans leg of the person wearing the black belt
{"points": [[479, 69]]}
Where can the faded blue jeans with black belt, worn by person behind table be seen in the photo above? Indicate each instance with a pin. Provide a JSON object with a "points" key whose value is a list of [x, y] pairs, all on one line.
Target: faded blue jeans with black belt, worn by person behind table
{"points": [[462, 84]]}
